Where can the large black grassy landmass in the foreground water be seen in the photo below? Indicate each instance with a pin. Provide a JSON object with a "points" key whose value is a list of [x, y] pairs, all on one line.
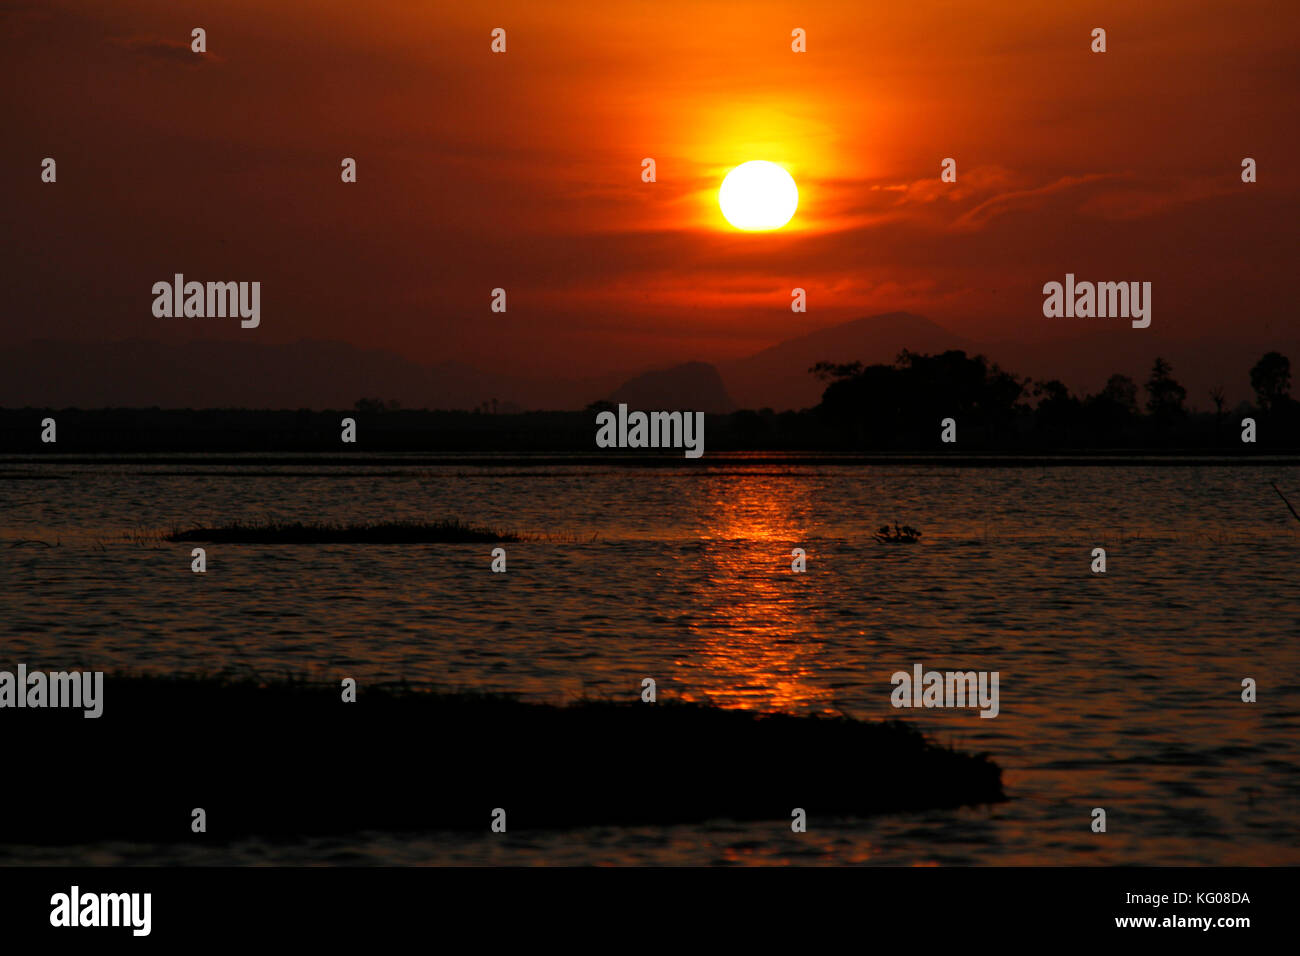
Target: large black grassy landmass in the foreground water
{"points": [[289, 759]]}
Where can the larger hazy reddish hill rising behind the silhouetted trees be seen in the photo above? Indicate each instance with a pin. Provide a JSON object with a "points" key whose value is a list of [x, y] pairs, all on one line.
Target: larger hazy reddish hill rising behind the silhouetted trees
{"points": [[778, 378]]}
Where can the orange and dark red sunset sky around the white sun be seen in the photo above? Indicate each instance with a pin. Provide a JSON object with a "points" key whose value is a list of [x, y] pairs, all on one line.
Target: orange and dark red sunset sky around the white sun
{"points": [[523, 170]]}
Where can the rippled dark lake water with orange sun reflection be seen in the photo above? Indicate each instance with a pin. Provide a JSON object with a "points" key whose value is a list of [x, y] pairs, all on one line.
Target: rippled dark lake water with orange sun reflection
{"points": [[1119, 691]]}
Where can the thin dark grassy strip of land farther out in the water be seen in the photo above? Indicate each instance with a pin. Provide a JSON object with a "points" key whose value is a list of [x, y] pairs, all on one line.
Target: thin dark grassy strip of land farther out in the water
{"points": [[383, 534]]}
